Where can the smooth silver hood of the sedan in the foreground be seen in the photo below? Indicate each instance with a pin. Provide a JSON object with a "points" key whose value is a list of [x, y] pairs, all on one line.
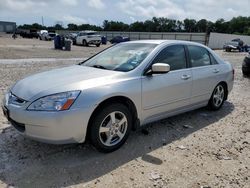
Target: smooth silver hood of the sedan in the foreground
{"points": [[63, 79]]}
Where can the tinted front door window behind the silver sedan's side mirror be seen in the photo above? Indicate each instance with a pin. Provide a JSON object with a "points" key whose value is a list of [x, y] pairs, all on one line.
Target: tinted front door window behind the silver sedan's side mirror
{"points": [[174, 56]]}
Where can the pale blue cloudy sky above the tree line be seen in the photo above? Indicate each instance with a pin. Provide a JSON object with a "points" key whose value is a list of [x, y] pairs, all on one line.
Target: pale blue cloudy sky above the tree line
{"points": [[128, 11]]}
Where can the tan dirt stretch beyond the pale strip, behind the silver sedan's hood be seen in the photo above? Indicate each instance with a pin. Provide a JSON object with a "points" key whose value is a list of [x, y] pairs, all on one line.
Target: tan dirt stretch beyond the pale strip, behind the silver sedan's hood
{"points": [[34, 48]]}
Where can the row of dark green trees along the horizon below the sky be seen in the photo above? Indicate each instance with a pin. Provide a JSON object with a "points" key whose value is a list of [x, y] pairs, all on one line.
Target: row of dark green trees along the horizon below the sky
{"points": [[237, 25]]}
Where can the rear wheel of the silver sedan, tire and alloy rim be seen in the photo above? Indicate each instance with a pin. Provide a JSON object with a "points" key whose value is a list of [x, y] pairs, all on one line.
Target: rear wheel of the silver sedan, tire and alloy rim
{"points": [[218, 97]]}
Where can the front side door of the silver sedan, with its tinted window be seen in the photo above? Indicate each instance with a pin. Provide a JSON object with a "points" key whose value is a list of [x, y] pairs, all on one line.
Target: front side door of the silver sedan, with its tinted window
{"points": [[170, 91]]}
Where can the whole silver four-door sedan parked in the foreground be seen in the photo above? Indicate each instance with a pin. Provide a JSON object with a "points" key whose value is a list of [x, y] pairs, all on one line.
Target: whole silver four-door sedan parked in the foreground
{"points": [[127, 85]]}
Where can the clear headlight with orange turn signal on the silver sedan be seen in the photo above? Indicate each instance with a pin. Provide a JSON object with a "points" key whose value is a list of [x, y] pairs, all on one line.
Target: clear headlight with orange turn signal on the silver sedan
{"points": [[55, 102]]}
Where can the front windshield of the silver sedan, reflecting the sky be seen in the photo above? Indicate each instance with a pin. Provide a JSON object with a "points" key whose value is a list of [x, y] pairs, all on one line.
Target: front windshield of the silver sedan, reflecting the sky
{"points": [[123, 57]]}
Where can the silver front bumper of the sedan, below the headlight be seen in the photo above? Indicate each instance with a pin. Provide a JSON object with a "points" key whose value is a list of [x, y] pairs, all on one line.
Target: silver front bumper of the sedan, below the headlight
{"points": [[62, 127]]}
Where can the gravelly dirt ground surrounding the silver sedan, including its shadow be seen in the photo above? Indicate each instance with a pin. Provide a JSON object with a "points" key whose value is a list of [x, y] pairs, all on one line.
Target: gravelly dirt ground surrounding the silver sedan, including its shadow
{"points": [[196, 149]]}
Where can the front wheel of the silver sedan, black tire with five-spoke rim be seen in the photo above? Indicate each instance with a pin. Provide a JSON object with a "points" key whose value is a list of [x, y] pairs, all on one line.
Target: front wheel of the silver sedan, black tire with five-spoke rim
{"points": [[112, 135]]}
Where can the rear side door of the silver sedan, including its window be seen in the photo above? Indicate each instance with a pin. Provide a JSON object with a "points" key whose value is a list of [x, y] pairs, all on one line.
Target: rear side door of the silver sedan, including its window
{"points": [[205, 71]]}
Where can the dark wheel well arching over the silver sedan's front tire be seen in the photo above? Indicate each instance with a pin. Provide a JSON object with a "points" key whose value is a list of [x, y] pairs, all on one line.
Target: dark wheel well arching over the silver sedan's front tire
{"points": [[118, 99]]}
